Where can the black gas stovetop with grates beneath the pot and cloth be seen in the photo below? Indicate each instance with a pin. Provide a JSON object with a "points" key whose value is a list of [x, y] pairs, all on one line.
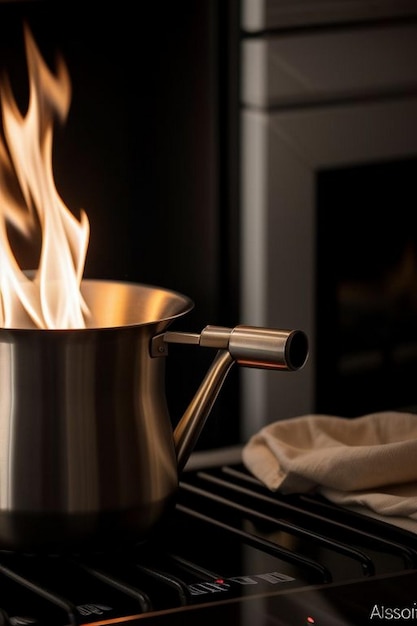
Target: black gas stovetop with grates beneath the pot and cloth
{"points": [[233, 551]]}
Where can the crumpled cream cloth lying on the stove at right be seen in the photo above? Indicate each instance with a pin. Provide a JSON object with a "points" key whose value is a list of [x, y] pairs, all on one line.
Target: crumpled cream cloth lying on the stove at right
{"points": [[366, 463]]}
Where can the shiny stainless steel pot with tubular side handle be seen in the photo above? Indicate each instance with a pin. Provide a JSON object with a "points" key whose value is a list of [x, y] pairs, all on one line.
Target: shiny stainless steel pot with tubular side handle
{"points": [[87, 451]]}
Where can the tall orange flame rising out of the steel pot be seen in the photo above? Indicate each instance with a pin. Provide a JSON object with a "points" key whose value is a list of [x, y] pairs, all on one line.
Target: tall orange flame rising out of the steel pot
{"points": [[49, 297]]}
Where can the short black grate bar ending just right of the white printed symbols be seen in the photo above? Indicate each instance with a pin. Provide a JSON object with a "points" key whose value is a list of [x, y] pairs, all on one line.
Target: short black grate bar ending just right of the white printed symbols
{"points": [[263, 544]]}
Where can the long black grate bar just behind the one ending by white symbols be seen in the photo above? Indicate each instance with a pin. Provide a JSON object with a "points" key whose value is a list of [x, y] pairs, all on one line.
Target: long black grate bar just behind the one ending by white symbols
{"points": [[365, 561]]}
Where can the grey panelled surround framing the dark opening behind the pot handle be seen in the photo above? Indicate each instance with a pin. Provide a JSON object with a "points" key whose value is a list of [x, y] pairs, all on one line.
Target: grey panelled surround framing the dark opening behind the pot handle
{"points": [[312, 100]]}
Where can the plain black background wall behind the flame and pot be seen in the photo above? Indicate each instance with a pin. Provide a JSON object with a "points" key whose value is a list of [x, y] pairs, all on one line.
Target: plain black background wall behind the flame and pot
{"points": [[147, 153]]}
